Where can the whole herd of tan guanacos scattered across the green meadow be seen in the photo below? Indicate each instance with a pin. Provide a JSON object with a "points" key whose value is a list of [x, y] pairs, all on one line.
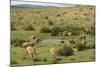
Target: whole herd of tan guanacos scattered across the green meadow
{"points": [[30, 46]]}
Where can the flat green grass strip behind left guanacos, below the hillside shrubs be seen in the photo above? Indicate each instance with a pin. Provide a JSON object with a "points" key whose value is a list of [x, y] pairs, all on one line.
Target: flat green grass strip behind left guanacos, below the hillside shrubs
{"points": [[26, 34]]}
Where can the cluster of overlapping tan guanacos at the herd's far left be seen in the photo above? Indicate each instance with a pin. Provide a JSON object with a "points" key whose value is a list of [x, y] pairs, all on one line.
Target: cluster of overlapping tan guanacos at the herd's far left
{"points": [[31, 51]]}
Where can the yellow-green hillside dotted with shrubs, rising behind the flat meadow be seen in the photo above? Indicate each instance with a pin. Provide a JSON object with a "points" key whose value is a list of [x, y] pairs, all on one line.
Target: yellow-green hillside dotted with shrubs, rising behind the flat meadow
{"points": [[76, 17]]}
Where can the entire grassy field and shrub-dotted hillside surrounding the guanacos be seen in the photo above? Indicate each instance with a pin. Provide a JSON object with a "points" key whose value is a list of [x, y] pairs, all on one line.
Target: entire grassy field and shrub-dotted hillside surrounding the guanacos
{"points": [[45, 24]]}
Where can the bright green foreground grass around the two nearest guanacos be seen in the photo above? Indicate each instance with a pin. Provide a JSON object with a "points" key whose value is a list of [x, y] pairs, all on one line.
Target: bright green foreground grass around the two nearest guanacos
{"points": [[79, 56]]}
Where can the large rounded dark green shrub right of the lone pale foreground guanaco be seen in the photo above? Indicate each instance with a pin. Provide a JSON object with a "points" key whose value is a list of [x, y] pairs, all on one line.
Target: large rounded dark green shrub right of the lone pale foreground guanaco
{"points": [[65, 51]]}
